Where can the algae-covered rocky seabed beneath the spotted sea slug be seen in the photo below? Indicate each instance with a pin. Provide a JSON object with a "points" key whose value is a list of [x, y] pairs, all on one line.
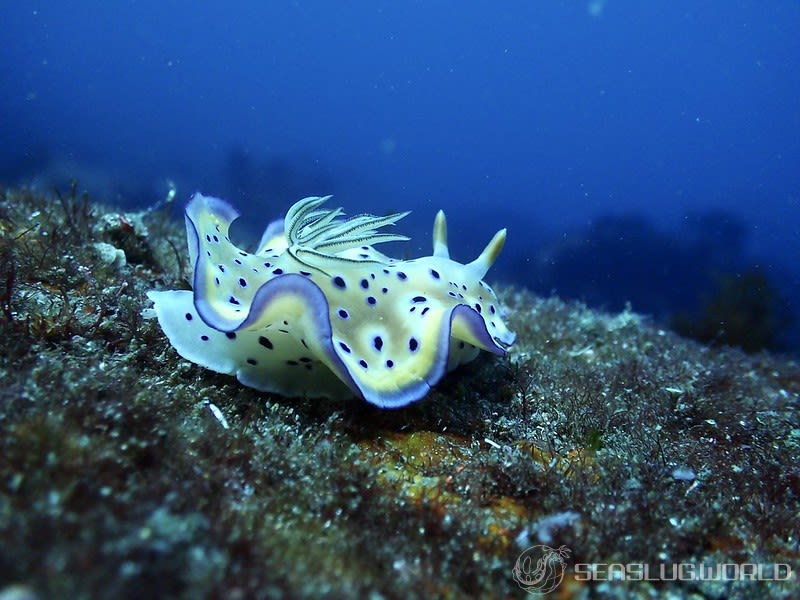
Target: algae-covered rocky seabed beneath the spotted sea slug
{"points": [[601, 432]]}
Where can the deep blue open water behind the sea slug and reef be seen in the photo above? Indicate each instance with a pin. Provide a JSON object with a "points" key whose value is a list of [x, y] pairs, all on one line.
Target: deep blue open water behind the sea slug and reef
{"points": [[641, 152]]}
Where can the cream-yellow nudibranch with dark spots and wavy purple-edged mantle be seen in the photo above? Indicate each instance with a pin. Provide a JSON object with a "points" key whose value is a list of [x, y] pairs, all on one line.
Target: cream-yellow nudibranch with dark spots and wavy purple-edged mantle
{"points": [[316, 311]]}
